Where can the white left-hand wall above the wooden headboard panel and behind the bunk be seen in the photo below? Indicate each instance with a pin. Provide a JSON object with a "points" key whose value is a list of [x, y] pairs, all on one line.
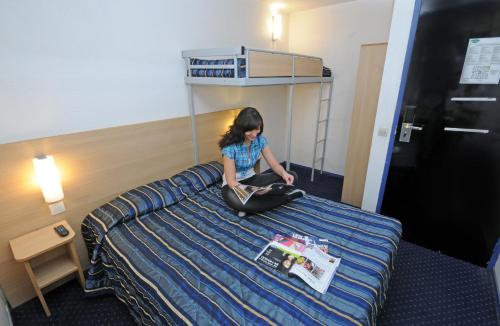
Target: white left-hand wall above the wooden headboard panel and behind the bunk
{"points": [[69, 66]]}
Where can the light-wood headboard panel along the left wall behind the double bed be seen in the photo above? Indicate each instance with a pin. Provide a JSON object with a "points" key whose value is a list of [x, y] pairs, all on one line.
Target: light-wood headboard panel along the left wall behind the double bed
{"points": [[95, 167]]}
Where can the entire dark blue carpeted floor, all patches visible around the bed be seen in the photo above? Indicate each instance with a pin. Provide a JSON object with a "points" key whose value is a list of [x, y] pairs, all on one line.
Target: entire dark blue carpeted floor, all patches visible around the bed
{"points": [[427, 288]]}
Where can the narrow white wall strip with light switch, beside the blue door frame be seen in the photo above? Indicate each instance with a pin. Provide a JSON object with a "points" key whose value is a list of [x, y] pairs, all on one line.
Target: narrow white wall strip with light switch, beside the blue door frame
{"points": [[389, 90]]}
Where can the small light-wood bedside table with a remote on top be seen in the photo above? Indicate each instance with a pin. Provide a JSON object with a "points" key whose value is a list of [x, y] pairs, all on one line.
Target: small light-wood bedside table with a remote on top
{"points": [[38, 242]]}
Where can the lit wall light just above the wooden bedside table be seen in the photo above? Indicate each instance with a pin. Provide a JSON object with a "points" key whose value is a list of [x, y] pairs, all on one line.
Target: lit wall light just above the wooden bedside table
{"points": [[50, 183]]}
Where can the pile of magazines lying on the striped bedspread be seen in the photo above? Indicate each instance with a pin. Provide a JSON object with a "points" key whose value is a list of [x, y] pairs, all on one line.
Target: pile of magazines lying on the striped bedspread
{"points": [[309, 262]]}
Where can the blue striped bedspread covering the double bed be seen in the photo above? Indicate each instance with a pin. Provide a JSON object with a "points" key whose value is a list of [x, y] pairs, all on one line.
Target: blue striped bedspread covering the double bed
{"points": [[175, 254]]}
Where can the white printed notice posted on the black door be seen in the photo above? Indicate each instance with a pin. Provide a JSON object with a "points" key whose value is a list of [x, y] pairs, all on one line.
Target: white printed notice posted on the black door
{"points": [[482, 61]]}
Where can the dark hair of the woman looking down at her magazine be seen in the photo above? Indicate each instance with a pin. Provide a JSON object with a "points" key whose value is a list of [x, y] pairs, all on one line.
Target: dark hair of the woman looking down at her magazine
{"points": [[248, 119]]}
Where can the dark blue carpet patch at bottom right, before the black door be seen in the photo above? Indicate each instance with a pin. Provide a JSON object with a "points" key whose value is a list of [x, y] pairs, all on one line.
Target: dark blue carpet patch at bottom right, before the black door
{"points": [[429, 288]]}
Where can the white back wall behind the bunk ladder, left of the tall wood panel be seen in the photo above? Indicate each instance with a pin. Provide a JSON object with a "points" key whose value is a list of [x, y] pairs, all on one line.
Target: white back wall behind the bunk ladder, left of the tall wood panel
{"points": [[334, 33]]}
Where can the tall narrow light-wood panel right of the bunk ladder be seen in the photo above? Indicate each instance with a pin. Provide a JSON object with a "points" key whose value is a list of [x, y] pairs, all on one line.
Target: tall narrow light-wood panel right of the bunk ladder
{"points": [[370, 69]]}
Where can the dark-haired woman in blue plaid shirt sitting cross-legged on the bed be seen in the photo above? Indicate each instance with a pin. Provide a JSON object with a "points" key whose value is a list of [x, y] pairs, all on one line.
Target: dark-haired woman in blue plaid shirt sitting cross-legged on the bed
{"points": [[241, 147]]}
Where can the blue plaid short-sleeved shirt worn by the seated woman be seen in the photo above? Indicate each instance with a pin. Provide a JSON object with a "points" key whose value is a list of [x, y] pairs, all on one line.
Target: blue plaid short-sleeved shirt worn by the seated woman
{"points": [[245, 159]]}
